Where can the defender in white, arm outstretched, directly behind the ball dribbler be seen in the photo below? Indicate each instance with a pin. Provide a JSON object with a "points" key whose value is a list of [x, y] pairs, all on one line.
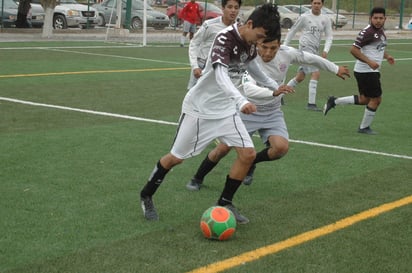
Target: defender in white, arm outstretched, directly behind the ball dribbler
{"points": [[268, 120]]}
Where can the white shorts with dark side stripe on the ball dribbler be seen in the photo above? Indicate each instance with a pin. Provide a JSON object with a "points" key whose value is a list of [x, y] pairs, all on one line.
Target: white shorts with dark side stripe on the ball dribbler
{"points": [[194, 134]]}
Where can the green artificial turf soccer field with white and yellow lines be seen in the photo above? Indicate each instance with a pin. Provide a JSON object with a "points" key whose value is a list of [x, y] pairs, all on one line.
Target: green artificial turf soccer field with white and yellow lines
{"points": [[82, 125]]}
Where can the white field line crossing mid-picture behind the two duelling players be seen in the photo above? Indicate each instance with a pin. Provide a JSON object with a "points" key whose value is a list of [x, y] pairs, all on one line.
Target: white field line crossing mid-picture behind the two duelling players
{"points": [[175, 124]]}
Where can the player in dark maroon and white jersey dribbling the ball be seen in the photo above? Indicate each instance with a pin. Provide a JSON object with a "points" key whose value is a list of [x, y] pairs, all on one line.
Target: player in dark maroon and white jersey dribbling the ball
{"points": [[209, 109]]}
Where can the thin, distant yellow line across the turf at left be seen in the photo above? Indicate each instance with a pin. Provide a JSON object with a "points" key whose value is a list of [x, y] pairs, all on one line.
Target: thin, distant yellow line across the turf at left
{"points": [[92, 72]]}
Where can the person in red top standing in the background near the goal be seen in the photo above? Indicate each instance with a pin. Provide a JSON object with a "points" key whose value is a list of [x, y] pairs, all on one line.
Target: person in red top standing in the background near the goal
{"points": [[189, 14]]}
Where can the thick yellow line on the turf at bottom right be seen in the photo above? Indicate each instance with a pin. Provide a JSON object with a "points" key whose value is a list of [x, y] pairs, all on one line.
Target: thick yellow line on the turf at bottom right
{"points": [[301, 238]]}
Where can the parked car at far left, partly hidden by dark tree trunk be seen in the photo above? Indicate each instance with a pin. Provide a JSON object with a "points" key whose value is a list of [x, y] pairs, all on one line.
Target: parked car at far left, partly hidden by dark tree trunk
{"points": [[10, 15]]}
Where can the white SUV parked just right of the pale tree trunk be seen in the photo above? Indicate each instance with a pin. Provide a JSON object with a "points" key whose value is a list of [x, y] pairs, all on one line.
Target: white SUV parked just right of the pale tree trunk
{"points": [[69, 13]]}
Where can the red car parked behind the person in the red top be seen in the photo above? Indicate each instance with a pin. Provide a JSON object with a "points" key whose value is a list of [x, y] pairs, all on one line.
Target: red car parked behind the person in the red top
{"points": [[212, 11]]}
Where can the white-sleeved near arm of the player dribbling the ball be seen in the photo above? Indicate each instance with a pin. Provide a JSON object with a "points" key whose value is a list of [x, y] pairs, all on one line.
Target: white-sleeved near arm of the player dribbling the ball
{"points": [[224, 82]]}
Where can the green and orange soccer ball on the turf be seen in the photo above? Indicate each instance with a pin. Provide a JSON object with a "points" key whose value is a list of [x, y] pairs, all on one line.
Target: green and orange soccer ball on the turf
{"points": [[218, 223]]}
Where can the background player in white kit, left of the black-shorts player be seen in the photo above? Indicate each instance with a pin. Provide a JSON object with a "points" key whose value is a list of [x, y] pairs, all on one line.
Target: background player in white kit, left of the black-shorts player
{"points": [[312, 24]]}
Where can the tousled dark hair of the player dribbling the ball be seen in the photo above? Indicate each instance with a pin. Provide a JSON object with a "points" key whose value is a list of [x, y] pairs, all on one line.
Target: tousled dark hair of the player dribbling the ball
{"points": [[266, 16]]}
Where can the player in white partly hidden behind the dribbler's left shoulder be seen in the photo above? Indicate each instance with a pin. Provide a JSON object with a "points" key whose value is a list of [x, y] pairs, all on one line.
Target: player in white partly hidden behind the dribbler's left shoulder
{"points": [[203, 39]]}
